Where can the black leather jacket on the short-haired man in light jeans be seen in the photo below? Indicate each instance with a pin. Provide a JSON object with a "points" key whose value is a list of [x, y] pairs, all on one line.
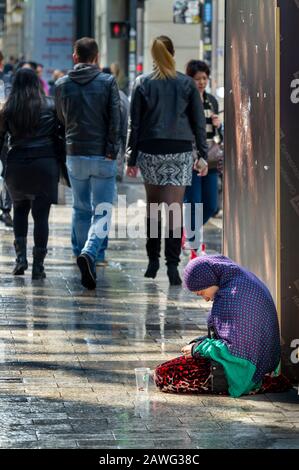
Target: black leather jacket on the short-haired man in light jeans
{"points": [[88, 105]]}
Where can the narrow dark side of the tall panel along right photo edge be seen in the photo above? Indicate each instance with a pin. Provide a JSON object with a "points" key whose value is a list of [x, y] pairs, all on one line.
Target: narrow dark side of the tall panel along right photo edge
{"points": [[289, 35]]}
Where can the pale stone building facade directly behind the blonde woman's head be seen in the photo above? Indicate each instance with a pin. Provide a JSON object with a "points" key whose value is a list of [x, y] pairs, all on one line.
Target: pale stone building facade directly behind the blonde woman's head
{"points": [[150, 18]]}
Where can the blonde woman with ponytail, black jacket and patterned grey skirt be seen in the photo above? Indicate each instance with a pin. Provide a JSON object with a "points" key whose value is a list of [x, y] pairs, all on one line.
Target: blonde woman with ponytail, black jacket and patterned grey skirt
{"points": [[166, 117]]}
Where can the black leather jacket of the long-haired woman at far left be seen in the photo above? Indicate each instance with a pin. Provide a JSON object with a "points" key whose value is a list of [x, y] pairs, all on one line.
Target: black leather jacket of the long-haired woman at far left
{"points": [[44, 136]]}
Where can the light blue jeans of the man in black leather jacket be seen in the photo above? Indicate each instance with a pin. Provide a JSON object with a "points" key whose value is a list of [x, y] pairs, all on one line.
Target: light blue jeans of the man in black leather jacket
{"points": [[93, 182]]}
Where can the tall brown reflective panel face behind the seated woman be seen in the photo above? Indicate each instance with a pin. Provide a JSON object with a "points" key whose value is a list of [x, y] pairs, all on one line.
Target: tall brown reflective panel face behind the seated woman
{"points": [[250, 218]]}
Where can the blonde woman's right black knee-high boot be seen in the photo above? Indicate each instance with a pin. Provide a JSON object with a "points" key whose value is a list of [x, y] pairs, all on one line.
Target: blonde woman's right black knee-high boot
{"points": [[172, 255]]}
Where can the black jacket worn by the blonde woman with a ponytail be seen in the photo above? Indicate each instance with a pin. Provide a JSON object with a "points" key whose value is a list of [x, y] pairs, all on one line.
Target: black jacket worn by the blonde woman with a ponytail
{"points": [[166, 109]]}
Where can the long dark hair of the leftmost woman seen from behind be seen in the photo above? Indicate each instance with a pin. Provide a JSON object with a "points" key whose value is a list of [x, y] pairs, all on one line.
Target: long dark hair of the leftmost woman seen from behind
{"points": [[23, 106]]}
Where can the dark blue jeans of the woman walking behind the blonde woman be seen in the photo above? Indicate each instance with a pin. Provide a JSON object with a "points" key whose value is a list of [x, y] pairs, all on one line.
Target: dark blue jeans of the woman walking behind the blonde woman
{"points": [[203, 191]]}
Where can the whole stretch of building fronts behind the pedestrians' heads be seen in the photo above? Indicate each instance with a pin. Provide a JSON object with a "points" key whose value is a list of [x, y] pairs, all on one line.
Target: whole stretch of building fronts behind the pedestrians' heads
{"points": [[25, 25]]}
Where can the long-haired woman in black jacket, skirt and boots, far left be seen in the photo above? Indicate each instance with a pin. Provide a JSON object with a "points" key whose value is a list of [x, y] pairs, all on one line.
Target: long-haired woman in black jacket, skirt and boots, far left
{"points": [[32, 171]]}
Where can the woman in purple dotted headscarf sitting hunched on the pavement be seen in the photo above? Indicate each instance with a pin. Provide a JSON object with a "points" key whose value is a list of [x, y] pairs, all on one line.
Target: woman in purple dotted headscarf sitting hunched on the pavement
{"points": [[241, 354]]}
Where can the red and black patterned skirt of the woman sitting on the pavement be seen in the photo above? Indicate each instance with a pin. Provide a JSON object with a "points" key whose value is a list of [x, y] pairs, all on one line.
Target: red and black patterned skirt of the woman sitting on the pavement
{"points": [[189, 375]]}
